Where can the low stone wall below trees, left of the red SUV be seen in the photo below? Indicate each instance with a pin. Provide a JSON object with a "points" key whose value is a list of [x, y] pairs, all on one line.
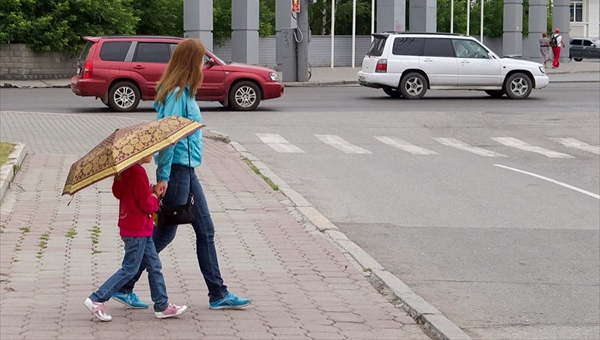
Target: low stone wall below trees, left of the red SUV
{"points": [[17, 61]]}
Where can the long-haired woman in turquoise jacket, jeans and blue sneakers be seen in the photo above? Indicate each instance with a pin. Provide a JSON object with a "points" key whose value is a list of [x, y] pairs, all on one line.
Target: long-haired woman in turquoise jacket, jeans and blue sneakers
{"points": [[175, 174]]}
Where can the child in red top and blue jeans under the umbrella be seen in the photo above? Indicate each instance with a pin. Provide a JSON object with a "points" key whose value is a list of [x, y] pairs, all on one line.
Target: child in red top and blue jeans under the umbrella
{"points": [[137, 202]]}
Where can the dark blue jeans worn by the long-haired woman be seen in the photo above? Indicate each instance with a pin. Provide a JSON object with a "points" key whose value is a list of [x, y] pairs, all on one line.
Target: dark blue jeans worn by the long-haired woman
{"points": [[177, 194]]}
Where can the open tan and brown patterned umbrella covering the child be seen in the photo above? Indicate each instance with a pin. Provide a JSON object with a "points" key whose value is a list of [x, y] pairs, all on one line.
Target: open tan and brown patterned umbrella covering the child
{"points": [[125, 147]]}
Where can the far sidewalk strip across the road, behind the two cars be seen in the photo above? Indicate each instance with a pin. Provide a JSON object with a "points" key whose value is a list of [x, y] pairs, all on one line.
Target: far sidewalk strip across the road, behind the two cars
{"points": [[587, 70]]}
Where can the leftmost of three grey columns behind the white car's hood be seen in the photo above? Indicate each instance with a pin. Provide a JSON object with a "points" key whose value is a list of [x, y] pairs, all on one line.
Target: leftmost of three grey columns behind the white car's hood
{"points": [[512, 39]]}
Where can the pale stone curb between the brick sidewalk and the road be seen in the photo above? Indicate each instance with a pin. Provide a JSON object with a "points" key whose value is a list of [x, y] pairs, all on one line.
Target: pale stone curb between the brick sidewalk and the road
{"points": [[433, 321]]}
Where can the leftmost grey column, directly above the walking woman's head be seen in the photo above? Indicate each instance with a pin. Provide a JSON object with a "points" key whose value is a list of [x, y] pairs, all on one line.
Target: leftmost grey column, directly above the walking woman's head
{"points": [[198, 20]]}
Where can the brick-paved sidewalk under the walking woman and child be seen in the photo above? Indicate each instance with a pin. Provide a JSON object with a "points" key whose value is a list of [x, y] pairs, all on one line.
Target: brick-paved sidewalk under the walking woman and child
{"points": [[53, 255]]}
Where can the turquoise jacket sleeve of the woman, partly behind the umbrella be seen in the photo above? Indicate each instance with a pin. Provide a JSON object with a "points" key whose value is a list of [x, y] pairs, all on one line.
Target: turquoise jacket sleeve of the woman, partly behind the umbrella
{"points": [[173, 107]]}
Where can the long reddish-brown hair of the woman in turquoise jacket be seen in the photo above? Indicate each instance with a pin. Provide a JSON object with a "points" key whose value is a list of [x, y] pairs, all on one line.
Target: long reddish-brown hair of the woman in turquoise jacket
{"points": [[184, 68]]}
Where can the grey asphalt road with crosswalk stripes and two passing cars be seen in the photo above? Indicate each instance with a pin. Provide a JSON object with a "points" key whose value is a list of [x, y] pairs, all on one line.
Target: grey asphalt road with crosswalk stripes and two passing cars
{"points": [[505, 245]]}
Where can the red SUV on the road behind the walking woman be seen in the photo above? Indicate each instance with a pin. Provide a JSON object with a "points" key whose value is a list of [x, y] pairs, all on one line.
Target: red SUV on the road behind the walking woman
{"points": [[122, 70]]}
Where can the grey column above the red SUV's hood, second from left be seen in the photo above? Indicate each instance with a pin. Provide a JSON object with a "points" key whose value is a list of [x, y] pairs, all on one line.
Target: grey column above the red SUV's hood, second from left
{"points": [[244, 31]]}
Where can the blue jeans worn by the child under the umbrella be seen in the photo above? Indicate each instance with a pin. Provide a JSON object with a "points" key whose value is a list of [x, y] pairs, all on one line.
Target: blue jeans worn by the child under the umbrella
{"points": [[139, 253]]}
